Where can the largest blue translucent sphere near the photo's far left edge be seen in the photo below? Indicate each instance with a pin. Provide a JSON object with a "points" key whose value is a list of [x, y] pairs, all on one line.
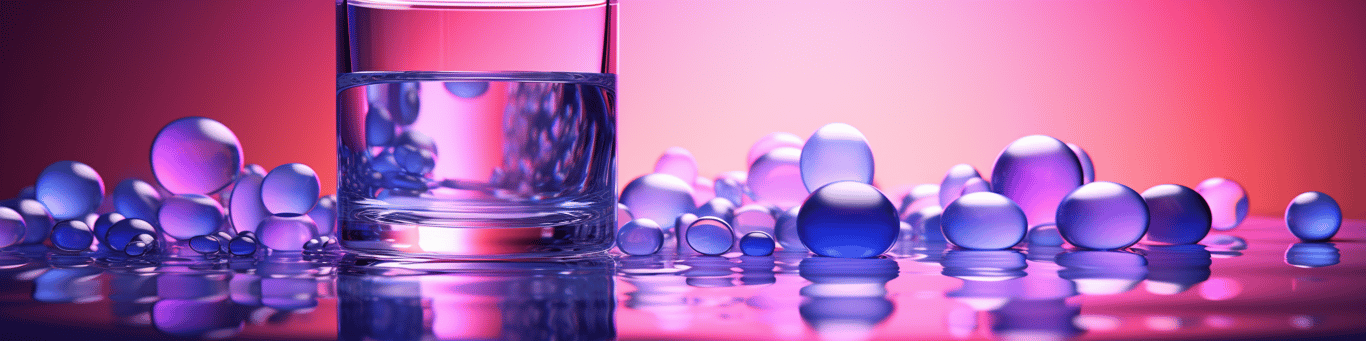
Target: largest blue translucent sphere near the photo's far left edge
{"points": [[70, 190]]}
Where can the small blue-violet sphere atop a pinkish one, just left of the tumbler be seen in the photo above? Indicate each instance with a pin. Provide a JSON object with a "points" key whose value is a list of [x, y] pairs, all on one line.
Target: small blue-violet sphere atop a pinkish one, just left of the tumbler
{"points": [[290, 189]]}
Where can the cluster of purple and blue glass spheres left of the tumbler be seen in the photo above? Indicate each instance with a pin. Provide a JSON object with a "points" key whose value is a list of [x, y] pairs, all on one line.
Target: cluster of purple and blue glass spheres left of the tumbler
{"points": [[207, 201]]}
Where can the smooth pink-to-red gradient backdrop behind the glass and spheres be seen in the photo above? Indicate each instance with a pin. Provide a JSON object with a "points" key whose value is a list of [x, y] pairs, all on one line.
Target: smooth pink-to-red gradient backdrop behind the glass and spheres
{"points": [[1268, 93]]}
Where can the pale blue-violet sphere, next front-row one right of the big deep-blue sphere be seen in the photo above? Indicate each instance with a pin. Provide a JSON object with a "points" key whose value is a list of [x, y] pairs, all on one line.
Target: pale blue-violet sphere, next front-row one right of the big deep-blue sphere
{"points": [[984, 222]]}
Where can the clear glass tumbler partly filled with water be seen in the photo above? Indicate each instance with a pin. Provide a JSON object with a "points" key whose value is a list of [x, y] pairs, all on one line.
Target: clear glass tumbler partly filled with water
{"points": [[482, 130]]}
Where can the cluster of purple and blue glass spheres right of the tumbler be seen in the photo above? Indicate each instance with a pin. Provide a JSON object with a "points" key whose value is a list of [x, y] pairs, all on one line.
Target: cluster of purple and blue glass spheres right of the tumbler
{"points": [[818, 196]]}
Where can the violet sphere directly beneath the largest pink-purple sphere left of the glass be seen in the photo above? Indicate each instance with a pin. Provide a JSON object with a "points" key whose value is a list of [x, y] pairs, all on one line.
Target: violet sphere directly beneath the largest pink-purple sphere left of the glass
{"points": [[191, 215]]}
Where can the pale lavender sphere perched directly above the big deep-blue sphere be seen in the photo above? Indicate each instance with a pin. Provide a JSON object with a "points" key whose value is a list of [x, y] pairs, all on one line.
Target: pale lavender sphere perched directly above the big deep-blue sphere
{"points": [[837, 153]]}
